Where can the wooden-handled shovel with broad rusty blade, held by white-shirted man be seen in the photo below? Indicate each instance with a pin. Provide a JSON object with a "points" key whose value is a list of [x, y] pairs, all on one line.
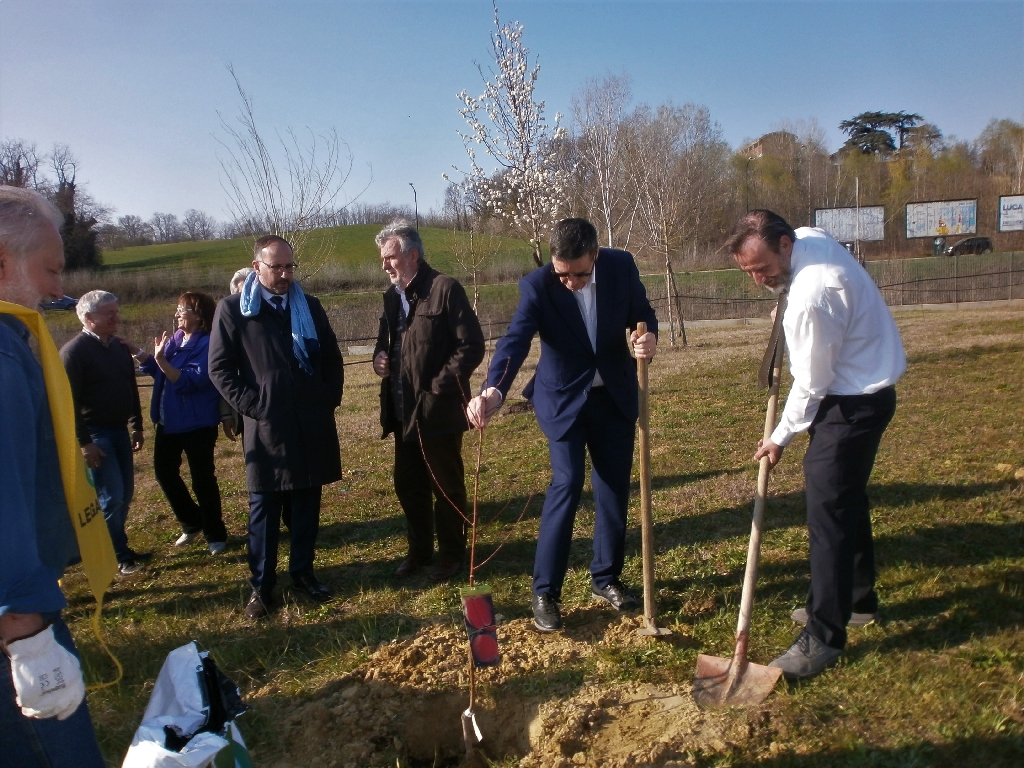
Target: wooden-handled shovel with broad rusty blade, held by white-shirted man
{"points": [[738, 682]]}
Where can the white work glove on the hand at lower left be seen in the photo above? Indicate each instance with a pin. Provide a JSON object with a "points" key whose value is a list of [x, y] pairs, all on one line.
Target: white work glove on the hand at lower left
{"points": [[48, 677]]}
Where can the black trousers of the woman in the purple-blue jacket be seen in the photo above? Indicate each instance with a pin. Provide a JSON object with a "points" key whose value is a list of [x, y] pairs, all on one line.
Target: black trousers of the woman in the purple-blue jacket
{"points": [[203, 514]]}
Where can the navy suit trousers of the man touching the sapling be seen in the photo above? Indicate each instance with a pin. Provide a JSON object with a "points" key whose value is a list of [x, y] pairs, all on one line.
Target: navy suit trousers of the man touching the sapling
{"points": [[602, 431]]}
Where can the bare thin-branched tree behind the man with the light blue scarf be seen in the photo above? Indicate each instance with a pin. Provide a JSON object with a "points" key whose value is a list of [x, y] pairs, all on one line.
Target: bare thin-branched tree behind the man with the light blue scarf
{"points": [[290, 202]]}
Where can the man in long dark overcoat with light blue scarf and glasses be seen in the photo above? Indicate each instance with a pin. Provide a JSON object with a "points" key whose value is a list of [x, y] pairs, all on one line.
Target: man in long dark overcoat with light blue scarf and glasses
{"points": [[276, 360]]}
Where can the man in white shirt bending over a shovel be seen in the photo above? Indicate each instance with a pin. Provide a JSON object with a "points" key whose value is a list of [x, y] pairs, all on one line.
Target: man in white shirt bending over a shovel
{"points": [[845, 356]]}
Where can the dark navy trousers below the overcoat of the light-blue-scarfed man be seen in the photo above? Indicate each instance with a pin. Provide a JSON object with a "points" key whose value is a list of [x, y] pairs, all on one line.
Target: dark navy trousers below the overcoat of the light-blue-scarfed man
{"points": [[265, 532]]}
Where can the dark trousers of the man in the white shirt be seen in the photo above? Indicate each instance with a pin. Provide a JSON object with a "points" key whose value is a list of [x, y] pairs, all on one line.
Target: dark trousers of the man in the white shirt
{"points": [[844, 441]]}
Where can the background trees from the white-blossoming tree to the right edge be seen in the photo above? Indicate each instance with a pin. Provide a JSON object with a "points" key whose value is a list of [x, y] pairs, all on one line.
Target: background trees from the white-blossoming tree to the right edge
{"points": [[663, 183]]}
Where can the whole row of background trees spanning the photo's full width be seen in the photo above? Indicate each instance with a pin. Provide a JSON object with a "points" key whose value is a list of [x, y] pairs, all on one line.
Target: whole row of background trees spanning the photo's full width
{"points": [[660, 182]]}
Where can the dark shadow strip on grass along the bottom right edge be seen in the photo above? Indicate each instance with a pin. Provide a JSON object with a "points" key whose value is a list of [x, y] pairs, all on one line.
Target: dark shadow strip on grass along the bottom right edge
{"points": [[992, 752]]}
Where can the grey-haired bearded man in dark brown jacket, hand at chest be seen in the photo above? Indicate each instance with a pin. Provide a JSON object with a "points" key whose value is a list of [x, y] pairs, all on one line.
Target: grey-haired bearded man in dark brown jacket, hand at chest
{"points": [[429, 346]]}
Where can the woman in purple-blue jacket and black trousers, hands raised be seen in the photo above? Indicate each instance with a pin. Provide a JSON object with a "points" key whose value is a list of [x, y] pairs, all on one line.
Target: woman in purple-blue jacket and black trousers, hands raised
{"points": [[186, 411]]}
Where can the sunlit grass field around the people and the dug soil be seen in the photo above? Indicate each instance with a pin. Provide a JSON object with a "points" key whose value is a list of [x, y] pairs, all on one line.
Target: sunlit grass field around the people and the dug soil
{"points": [[942, 684]]}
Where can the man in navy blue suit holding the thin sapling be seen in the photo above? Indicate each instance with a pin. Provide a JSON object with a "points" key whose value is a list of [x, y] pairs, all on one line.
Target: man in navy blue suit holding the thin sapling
{"points": [[585, 398]]}
